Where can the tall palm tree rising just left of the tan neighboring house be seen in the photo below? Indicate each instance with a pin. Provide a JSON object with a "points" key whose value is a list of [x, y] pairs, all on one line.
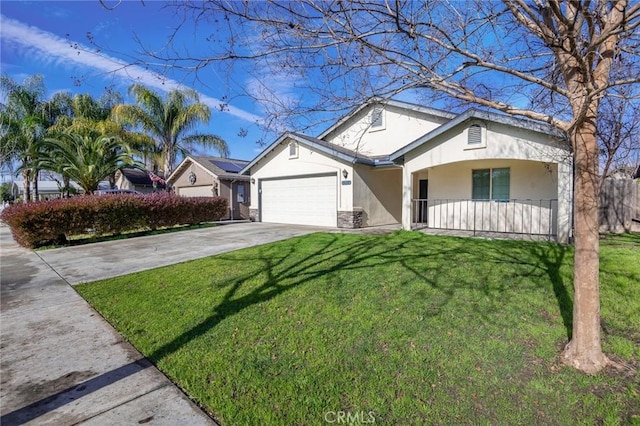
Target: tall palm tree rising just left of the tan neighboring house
{"points": [[171, 122]]}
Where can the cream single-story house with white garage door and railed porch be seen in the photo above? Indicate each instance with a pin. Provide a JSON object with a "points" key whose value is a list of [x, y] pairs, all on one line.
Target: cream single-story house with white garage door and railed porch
{"points": [[391, 162]]}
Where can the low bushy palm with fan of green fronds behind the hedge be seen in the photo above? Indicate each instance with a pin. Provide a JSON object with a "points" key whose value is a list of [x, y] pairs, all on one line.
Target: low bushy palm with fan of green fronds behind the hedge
{"points": [[85, 159]]}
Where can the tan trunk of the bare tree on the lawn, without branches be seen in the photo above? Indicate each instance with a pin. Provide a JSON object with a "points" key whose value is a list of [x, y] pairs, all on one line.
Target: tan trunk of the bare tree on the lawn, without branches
{"points": [[584, 351]]}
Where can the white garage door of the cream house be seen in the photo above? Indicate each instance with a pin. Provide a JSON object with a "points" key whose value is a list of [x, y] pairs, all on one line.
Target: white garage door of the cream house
{"points": [[300, 200]]}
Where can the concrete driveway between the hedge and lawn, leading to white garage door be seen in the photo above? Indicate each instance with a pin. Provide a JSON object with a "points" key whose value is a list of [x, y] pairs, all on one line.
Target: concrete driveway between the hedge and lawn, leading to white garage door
{"points": [[109, 259]]}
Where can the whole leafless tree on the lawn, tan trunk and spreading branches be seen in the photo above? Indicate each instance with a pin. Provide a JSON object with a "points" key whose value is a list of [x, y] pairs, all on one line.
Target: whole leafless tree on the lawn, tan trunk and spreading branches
{"points": [[551, 61]]}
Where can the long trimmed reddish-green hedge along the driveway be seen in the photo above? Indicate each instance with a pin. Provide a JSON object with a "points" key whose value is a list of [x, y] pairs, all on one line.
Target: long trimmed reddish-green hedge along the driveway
{"points": [[37, 224]]}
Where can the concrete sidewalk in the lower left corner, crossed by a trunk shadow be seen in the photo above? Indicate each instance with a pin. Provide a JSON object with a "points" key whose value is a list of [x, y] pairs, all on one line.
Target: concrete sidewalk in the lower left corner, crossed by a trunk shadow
{"points": [[63, 364]]}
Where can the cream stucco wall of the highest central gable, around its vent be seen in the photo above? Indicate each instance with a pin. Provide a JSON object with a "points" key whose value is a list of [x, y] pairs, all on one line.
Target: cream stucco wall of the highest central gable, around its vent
{"points": [[401, 127]]}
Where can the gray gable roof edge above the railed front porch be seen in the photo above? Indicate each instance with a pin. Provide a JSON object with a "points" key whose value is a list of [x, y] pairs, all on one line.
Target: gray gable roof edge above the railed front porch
{"points": [[476, 114]]}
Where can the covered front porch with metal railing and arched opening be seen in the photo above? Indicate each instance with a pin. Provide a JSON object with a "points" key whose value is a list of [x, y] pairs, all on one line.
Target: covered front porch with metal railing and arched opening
{"points": [[494, 198]]}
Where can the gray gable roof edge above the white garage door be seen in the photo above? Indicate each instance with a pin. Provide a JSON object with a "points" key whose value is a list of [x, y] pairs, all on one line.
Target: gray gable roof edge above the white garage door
{"points": [[331, 150]]}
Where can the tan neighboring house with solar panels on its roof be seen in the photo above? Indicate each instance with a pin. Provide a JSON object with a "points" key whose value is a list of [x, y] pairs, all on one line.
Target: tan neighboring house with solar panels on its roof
{"points": [[199, 176]]}
